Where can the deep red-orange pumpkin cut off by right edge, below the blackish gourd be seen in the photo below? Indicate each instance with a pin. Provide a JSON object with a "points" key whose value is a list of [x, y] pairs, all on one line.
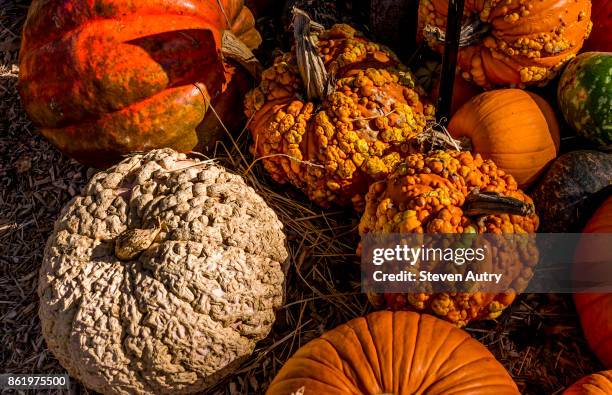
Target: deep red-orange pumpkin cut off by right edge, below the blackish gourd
{"points": [[594, 309]]}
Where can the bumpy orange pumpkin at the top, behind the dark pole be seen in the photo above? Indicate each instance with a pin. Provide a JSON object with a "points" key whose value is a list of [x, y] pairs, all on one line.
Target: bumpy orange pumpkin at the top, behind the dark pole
{"points": [[511, 43]]}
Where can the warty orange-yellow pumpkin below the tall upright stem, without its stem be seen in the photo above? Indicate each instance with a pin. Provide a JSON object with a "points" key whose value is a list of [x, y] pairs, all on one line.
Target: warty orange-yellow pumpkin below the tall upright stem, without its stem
{"points": [[332, 149]]}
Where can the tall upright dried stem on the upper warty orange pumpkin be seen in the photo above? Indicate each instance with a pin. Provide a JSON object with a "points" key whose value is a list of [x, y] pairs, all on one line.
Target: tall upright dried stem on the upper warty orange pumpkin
{"points": [[312, 69]]}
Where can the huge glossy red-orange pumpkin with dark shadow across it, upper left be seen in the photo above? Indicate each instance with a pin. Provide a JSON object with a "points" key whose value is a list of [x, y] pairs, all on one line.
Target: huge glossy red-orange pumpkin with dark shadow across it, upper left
{"points": [[105, 78]]}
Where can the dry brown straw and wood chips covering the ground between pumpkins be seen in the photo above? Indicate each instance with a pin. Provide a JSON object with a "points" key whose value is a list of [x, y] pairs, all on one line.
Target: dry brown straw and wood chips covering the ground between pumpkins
{"points": [[538, 339]]}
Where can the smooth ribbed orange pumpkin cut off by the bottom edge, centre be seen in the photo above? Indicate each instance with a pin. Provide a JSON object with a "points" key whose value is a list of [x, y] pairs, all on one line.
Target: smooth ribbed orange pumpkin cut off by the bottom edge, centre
{"points": [[397, 353]]}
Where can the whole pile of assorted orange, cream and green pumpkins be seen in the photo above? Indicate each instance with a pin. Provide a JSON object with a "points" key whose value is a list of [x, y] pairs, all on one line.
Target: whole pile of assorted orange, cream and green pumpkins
{"points": [[164, 273]]}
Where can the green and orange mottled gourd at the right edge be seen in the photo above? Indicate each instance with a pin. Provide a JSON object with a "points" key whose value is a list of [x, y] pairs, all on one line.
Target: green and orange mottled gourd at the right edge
{"points": [[585, 96]]}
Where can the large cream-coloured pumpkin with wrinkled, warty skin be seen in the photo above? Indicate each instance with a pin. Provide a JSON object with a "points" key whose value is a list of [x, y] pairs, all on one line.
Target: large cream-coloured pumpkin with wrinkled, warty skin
{"points": [[161, 277]]}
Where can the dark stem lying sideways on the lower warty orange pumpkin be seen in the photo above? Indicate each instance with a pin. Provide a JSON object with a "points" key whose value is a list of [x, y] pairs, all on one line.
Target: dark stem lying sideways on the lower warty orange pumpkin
{"points": [[491, 203]]}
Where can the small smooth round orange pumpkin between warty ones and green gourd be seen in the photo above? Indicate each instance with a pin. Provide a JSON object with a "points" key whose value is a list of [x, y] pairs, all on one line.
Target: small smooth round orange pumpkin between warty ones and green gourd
{"points": [[514, 128]]}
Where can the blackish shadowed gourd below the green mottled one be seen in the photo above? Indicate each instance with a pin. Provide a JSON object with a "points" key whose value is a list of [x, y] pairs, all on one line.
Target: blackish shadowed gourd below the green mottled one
{"points": [[570, 188]]}
